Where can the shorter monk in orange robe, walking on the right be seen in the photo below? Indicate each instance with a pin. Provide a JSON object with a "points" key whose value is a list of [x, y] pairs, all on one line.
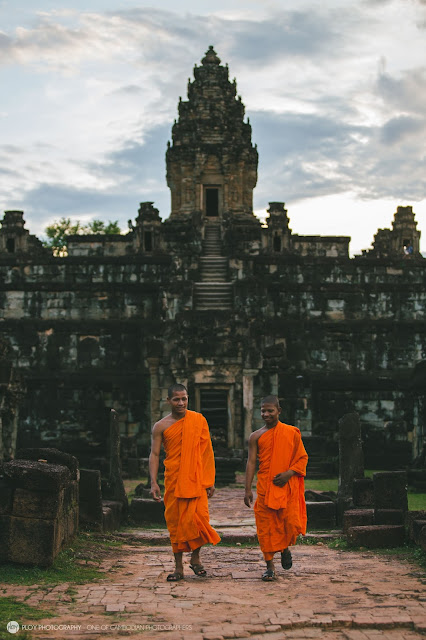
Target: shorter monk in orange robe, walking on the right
{"points": [[280, 508]]}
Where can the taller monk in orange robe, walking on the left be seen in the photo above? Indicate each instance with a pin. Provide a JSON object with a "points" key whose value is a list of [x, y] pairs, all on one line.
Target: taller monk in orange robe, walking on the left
{"points": [[188, 479]]}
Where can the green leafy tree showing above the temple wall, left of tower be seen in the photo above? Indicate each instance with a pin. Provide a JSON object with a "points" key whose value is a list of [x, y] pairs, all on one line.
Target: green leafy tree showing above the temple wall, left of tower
{"points": [[58, 232]]}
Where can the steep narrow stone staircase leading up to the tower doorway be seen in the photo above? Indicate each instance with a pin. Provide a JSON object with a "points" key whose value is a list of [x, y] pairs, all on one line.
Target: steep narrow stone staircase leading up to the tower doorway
{"points": [[213, 291]]}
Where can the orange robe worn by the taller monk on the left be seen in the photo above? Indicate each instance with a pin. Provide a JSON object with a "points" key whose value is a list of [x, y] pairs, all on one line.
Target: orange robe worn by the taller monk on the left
{"points": [[189, 470]]}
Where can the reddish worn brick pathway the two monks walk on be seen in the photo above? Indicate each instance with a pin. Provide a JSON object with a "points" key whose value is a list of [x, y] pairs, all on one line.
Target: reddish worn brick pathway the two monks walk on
{"points": [[329, 594]]}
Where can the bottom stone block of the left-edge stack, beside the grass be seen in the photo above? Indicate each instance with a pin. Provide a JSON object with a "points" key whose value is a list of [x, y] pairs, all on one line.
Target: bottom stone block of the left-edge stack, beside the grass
{"points": [[32, 541]]}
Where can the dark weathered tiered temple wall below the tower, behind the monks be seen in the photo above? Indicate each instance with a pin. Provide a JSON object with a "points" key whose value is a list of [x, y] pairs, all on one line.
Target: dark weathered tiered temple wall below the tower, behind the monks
{"points": [[328, 335]]}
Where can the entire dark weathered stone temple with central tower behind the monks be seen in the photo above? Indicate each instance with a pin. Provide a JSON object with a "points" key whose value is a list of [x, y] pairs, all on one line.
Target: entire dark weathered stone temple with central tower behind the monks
{"points": [[212, 297]]}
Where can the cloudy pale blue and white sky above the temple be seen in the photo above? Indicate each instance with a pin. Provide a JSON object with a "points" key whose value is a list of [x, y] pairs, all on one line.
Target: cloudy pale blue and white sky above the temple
{"points": [[335, 91]]}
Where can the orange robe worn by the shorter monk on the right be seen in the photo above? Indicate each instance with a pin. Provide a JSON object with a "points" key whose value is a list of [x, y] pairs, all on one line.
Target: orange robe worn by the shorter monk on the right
{"points": [[280, 512]]}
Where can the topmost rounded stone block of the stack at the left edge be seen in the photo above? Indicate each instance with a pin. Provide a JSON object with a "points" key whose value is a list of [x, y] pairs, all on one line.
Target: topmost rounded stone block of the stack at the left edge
{"points": [[36, 476]]}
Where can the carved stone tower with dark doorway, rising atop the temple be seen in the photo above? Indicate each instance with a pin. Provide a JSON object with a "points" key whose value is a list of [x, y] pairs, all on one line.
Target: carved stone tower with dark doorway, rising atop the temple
{"points": [[211, 164]]}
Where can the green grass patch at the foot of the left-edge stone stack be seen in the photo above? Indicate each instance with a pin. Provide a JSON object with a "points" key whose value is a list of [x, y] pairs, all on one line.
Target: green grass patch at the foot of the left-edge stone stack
{"points": [[79, 563]]}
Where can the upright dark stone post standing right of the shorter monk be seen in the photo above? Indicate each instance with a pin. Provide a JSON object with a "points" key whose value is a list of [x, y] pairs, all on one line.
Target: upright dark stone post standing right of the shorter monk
{"points": [[351, 460]]}
